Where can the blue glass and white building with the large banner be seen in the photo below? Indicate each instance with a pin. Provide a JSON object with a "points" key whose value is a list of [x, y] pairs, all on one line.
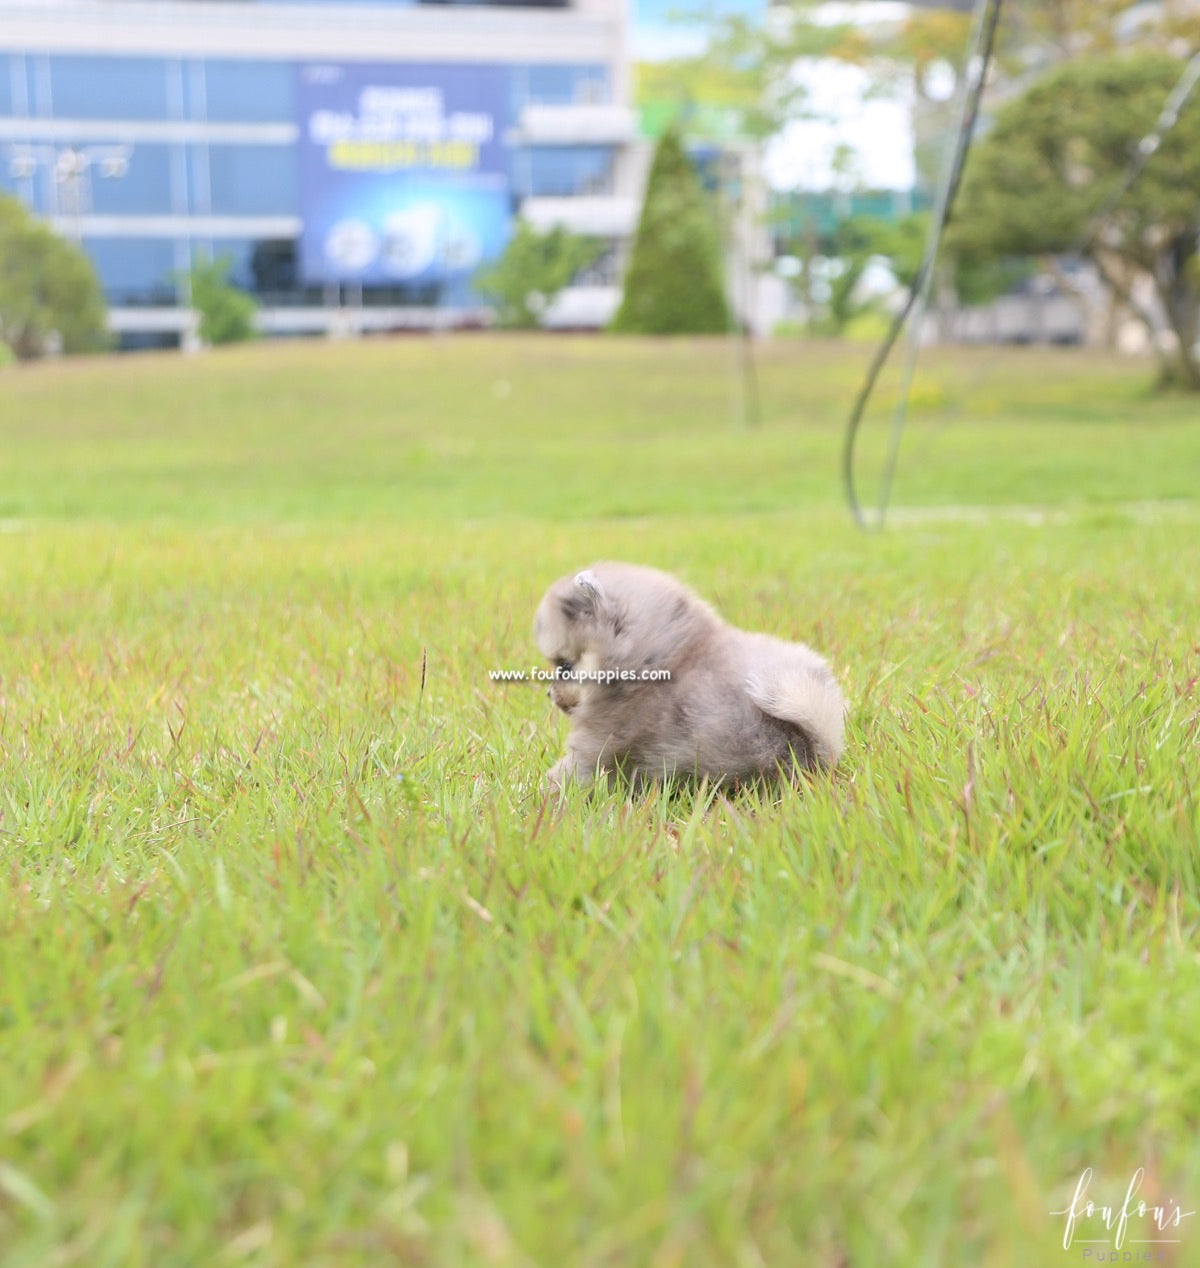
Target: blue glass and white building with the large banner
{"points": [[355, 163]]}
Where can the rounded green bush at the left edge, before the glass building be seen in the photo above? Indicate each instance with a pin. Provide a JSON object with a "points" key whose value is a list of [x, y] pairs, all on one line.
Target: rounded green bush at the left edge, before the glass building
{"points": [[50, 296]]}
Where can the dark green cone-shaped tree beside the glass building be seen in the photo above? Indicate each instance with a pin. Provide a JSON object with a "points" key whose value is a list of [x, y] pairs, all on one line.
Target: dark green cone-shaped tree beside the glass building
{"points": [[674, 285]]}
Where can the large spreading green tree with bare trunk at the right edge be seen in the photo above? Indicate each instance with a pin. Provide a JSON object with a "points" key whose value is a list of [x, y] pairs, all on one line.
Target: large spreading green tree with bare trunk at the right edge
{"points": [[1043, 179]]}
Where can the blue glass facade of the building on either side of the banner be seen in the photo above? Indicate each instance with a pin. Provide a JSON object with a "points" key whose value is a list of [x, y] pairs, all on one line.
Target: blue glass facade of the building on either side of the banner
{"points": [[178, 158]]}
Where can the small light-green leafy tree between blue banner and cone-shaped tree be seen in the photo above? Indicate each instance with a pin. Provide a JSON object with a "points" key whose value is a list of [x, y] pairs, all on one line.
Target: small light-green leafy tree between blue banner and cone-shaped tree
{"points": [[532, 271]]}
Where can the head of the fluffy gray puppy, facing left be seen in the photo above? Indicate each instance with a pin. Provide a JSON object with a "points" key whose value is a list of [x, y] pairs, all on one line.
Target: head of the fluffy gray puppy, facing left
{"points": [[574, 631]]}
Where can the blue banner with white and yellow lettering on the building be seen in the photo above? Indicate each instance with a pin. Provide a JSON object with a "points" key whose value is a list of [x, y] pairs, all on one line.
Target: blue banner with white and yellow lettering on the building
{"points": [[403, 172]]}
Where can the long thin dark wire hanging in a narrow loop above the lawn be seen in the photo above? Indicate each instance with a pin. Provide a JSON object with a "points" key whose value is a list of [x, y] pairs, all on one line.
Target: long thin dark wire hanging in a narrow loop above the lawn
{"points": [[984, 42]]}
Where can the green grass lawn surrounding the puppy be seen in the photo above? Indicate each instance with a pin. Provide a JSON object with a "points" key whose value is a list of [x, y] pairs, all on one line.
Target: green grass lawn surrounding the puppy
{"points": [[299, 966]]}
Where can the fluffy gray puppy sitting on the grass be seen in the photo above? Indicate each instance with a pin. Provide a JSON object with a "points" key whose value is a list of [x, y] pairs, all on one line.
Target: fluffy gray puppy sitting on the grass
{"points": [[658, 685]]}
